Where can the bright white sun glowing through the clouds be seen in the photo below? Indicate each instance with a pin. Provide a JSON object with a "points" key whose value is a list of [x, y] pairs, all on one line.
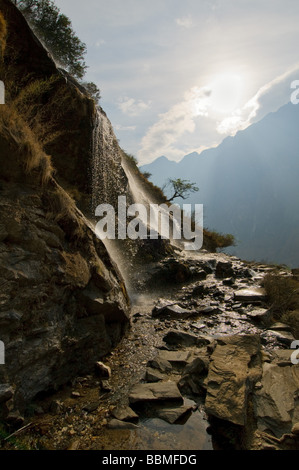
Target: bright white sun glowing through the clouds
{"points": [[226, 93]]}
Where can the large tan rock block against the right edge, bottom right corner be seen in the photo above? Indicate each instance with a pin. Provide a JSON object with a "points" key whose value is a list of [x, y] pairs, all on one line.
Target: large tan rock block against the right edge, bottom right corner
{"points": [[276, 403]]}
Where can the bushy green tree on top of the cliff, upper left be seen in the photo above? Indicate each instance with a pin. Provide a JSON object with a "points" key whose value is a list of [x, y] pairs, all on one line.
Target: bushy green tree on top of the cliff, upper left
{"points": [[55, 30]]}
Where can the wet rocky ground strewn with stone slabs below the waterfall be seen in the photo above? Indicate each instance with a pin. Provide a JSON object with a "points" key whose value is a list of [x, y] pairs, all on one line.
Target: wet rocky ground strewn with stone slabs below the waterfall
{"points": [[203, 366]]}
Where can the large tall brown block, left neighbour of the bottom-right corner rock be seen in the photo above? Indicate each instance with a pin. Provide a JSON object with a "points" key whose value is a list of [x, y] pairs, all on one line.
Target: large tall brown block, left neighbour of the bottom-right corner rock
{"points": [[234, 369]]}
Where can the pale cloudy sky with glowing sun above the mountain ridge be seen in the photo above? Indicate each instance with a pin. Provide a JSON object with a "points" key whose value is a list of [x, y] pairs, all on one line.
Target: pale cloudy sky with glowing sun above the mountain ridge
{"points": [[180, 76]]}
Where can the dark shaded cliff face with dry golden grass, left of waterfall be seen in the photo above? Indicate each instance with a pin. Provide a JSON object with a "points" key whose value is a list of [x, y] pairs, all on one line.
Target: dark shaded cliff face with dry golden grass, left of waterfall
{"points": [[63, 302]]}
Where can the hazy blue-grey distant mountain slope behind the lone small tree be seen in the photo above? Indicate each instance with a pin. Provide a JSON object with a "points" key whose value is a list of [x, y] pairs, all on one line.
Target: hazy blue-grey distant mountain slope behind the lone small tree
{"points": [[249, 186]]}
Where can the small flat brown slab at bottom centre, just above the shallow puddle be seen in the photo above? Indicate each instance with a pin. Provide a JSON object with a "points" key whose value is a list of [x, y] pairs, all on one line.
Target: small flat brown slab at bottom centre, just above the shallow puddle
{"points": [[158, 392]]}
